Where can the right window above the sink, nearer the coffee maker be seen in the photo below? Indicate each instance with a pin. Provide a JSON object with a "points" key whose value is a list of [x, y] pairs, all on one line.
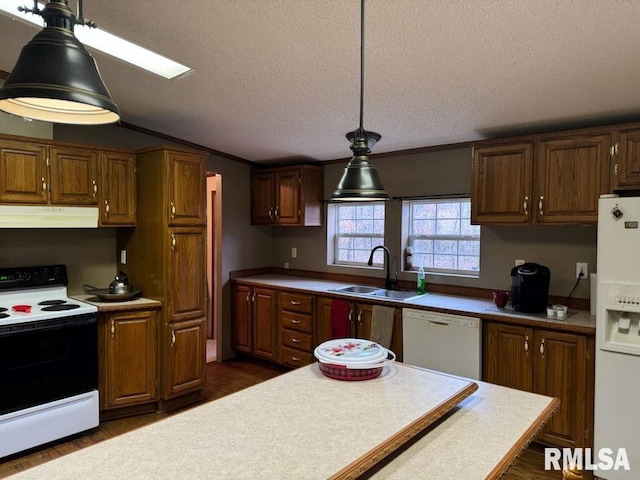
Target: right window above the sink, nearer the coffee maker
{"points": [[441, 237]]}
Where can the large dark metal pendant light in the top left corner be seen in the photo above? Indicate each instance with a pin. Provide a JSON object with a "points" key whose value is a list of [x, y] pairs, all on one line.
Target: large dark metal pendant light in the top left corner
{"points": [[55, 79]]}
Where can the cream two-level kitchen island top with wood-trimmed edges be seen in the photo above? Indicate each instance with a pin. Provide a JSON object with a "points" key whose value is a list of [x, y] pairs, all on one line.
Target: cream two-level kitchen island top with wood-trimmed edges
{"points": [[302, 425]]}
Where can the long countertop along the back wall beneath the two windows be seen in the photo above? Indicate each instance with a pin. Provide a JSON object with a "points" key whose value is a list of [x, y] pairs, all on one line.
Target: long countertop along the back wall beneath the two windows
{"points": [[579, 319]]}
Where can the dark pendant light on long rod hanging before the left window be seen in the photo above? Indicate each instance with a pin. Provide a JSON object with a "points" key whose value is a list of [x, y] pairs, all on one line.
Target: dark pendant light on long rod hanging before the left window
{"points": [[360, 181]]}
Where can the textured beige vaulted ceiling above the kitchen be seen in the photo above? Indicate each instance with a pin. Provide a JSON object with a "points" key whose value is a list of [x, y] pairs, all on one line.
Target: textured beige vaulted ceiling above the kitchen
{"points": [[279, 79]]}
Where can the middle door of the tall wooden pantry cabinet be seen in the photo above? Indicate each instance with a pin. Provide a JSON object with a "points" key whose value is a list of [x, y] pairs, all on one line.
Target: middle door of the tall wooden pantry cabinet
{"points": [[186, 277]]}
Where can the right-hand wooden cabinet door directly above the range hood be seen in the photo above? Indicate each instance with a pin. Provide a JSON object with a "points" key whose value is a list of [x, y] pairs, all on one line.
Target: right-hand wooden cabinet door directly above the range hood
{"points": [[74, 176]]}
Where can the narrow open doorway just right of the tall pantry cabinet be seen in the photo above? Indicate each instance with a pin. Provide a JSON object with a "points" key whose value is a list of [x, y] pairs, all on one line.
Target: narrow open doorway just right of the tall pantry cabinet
{"points": [[214, 265]]}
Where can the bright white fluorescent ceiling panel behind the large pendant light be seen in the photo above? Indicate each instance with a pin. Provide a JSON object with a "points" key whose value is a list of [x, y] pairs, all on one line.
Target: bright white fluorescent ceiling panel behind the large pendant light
{"points": [[105, 42]]}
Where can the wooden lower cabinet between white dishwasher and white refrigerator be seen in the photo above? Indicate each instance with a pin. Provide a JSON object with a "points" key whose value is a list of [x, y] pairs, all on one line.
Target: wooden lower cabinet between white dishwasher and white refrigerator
{"points": [[552, 363]]}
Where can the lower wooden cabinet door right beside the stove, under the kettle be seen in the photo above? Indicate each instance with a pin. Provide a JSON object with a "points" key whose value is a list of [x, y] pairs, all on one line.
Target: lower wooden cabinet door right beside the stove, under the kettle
{"points": [[130, 373]]}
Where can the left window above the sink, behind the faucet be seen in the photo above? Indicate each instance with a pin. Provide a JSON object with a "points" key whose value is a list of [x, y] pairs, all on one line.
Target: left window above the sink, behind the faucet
{"points": [[357, 228]]}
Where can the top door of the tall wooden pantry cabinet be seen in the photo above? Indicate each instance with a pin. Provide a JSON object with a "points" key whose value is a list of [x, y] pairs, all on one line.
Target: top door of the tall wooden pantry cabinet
{"points": [[187, 182]]}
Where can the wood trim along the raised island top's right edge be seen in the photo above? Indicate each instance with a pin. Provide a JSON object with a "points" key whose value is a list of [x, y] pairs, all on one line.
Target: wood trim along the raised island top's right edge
{"points": [[396, 441]]}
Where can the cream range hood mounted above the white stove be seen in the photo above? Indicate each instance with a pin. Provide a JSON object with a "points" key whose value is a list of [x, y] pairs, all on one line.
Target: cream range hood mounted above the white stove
{"points": [[48, 216]]}
